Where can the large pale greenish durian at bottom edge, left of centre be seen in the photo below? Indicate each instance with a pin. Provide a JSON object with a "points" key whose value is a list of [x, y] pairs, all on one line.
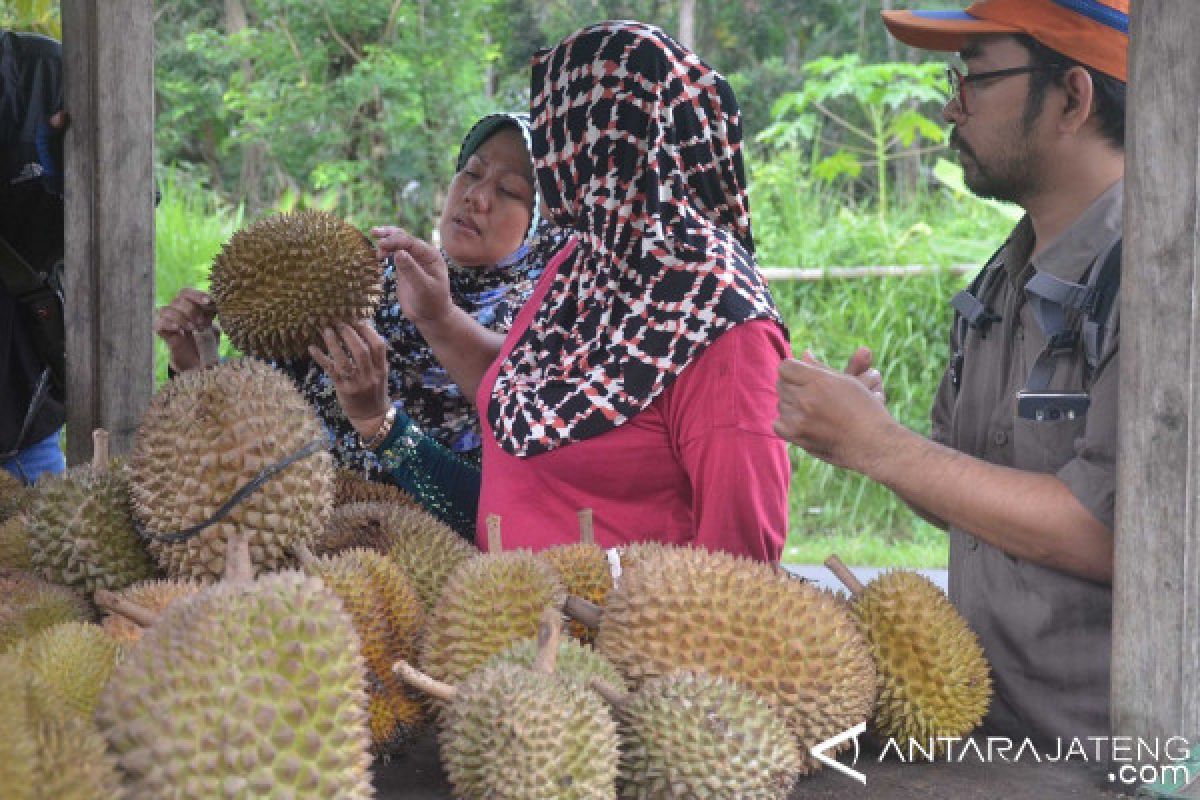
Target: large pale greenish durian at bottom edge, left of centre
{"points": [[244, 691]]}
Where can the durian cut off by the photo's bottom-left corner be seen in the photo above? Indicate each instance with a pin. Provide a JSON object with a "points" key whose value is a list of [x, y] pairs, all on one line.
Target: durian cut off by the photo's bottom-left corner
{"points": [[49, 753]]}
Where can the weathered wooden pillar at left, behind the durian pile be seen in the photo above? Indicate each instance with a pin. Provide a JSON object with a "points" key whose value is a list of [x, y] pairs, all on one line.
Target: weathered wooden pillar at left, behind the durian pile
{"points": [[109, 69]]}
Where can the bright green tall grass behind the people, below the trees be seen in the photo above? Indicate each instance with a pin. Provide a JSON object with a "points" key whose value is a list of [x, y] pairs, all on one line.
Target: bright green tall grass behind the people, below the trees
{"points": [[904, 322]]}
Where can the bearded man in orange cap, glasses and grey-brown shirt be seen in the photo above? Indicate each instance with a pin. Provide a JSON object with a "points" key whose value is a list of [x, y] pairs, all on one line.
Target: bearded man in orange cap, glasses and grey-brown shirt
{"points": [[1021, 467]]}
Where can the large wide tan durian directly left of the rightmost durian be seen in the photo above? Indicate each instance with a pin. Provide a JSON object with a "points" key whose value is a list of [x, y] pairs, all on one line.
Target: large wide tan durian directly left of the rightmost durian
{"points": [[796, 646]]}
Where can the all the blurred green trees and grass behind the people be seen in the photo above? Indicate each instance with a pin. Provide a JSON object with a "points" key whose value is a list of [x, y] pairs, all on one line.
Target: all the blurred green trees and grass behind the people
{"points": [[358, 107]]}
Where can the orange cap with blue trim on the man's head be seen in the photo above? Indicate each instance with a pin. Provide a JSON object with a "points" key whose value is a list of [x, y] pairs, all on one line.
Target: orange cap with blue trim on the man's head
{"points": [[1095, 33]]}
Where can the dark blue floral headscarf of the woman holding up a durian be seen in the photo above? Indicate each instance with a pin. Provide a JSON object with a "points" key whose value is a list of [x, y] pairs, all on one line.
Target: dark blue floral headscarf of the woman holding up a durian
{"points": [[493, 296]]}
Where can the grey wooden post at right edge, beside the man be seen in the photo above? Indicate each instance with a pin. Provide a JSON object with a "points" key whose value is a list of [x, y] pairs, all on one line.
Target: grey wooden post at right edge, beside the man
{"points": [[1156, 633]]}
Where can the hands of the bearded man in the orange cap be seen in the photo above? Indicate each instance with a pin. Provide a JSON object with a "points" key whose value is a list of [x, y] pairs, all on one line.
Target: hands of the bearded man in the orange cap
{"points": [[836, 417]]}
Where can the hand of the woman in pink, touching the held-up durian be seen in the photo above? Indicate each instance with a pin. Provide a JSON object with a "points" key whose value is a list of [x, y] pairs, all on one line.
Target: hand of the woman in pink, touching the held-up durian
{"points": [[423, 281]]}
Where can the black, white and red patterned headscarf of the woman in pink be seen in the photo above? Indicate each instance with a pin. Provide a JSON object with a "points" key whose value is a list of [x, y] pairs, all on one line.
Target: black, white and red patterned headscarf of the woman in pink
{"points": [[638, 149]]}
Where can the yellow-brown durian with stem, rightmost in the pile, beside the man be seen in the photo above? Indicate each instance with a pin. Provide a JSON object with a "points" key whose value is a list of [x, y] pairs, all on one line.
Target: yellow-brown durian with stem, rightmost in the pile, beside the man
{"points": [[934, 681]]}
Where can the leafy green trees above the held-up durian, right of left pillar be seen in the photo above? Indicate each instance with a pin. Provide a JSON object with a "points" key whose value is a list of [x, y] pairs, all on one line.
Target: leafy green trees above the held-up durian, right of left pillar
{"points": [[356, 103]]}
